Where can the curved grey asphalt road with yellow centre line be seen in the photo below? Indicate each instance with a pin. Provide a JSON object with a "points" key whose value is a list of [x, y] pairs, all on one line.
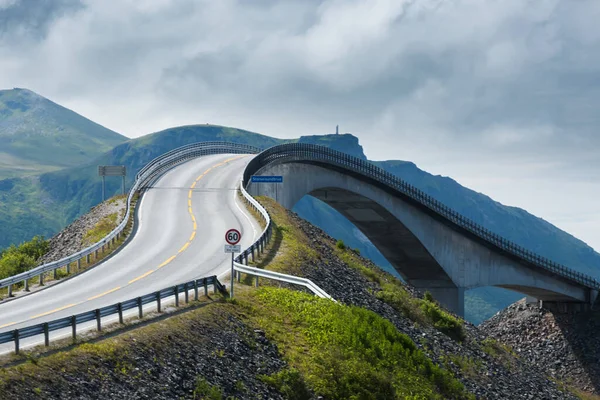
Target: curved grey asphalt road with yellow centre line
{"points": [[180, 236]]}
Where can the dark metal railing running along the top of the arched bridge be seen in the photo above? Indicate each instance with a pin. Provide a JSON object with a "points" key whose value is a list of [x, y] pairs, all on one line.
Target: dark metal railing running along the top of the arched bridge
{"points": [[301, 152]]}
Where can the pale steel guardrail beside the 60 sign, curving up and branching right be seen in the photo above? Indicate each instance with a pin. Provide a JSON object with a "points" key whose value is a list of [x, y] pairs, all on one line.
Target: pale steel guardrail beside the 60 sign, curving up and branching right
{"points": [[259, 246]]}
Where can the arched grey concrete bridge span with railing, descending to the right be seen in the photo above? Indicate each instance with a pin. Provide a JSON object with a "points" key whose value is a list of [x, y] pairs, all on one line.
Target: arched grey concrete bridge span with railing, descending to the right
{"points": [[431, 246]]}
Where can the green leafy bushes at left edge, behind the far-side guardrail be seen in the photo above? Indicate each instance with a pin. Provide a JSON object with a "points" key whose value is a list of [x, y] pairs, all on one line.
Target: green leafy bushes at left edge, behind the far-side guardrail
{"points": [[17, 259]]}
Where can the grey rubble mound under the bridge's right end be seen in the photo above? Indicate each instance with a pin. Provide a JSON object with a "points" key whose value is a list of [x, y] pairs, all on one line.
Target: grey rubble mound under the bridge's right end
{"points": [[567, 345]]}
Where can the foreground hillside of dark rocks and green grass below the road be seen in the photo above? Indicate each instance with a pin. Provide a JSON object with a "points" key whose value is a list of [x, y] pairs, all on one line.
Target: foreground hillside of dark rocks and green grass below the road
{"points": [[381, 340]]}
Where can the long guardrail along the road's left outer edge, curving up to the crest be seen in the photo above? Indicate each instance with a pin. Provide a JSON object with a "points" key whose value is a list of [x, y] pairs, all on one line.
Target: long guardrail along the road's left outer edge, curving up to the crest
{"points": [[152, 170]]}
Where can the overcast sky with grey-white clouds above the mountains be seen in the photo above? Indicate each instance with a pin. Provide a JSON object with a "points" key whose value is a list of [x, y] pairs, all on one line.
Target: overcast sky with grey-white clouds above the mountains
{"points": [[503, 96]]}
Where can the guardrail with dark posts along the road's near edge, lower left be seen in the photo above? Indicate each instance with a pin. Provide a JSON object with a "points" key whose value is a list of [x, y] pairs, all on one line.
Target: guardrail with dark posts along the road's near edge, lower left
{"points": [[118, 308]]}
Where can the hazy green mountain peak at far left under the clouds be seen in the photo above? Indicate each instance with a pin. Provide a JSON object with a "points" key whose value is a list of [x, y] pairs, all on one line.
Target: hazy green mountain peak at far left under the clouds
{"points": [[38, 135]]}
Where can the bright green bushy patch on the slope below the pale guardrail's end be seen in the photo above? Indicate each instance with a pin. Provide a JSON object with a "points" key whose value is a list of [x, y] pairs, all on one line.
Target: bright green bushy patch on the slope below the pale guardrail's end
{"points": [[347, 352]]}
